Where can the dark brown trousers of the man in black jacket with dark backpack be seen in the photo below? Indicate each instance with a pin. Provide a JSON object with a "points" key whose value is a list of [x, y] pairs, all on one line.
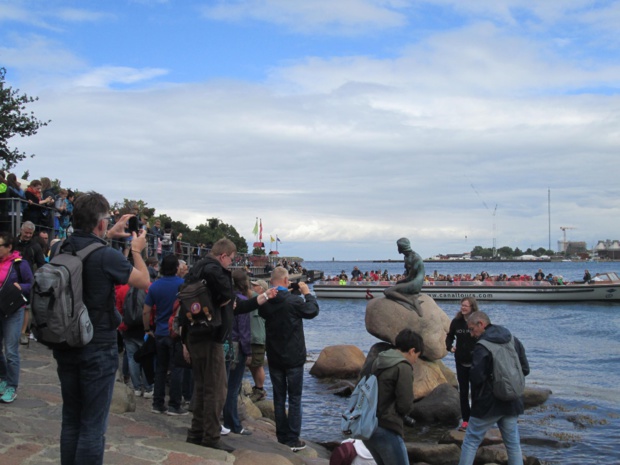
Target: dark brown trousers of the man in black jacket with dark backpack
{"points": [[209, 370]]}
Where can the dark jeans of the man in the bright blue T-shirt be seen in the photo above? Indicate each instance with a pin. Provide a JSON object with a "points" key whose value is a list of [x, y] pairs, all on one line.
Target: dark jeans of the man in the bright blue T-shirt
{"points": [[165, 347]]}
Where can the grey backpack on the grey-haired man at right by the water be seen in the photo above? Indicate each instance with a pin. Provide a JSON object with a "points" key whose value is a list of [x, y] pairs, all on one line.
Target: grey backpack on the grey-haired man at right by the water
{"points": [[508, 379]]}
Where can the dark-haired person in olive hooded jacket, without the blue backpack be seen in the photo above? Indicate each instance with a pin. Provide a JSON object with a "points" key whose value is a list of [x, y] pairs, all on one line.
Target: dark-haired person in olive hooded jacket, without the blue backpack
{"points": [[394, 371]]}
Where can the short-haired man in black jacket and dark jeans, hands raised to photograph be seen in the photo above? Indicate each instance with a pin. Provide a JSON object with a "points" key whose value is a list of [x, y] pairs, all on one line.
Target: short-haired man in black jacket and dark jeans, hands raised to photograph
{"points": [[286, 353]]}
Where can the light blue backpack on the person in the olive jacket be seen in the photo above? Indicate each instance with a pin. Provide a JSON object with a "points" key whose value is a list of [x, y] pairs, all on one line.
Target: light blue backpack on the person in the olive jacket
{"points": [[359, 420]]}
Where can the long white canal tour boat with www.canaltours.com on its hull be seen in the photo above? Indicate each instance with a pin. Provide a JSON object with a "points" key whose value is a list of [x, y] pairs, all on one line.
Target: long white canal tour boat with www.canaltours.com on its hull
{"points": [[605, 288]]}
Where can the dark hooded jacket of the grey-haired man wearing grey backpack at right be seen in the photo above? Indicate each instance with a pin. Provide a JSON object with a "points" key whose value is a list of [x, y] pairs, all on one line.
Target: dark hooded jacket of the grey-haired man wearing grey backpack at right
{"points": [[484, 403]]}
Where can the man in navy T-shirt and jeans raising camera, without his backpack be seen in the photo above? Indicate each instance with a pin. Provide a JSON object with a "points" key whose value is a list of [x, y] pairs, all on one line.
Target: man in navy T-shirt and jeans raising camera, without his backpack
{"points": [[87, 373]]}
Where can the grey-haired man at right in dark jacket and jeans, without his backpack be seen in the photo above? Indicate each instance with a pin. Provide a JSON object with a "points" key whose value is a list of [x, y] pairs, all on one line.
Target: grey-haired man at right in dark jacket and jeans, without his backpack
{"points": [[487, 409]]}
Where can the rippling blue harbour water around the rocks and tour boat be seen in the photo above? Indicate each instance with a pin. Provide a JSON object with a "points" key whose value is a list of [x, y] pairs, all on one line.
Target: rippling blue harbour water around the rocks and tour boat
{"points": [[573, 350]]}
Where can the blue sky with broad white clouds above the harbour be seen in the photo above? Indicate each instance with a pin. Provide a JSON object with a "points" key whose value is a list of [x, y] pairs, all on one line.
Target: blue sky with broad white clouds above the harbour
{"points": [[341, 125]]}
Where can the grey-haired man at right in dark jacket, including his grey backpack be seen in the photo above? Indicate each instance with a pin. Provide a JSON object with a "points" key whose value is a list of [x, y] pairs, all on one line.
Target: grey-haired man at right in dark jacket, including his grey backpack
{"points": [[497, 381]]}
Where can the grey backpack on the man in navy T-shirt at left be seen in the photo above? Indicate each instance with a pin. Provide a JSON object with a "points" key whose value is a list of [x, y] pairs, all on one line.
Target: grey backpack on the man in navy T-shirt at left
{"points": [[60, 318]]}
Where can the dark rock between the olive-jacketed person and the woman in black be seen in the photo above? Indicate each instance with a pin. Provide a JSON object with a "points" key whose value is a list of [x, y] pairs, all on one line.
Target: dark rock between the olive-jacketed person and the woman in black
{"points": [[440, 406]]}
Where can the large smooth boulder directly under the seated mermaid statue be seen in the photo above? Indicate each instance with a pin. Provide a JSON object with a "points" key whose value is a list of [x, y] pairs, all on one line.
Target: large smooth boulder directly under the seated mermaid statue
{"points": [[385, 318]]}
